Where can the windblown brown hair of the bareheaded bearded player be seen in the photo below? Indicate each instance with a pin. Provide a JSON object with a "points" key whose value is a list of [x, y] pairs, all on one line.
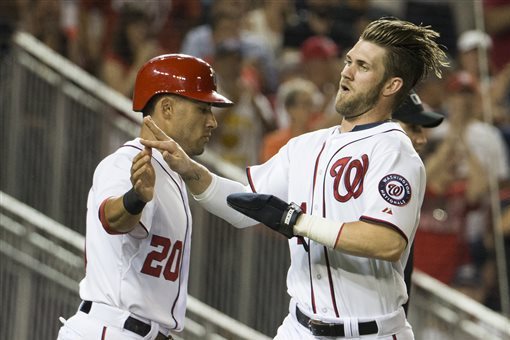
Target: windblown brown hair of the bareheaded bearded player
{"points": [[412, 52]]}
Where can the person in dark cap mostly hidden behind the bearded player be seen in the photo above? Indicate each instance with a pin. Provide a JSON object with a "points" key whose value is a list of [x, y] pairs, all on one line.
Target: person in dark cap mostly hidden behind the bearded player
{"points": [[414, 118]]}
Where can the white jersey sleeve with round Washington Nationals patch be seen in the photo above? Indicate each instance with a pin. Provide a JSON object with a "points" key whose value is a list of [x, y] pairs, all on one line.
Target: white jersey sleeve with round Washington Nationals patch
{"points": [[395, 185]]}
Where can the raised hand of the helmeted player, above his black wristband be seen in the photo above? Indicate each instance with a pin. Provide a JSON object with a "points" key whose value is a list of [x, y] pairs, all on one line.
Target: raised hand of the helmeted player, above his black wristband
{"points": [[143, 176]]}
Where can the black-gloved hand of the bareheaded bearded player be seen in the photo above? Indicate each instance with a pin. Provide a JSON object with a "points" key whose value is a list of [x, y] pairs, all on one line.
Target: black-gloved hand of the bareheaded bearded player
{"points": [[268, 209]]}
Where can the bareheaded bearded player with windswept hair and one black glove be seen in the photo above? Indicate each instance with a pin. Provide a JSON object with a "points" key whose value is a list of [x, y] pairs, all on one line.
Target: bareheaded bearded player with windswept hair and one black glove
{"points": [[355, 193]]}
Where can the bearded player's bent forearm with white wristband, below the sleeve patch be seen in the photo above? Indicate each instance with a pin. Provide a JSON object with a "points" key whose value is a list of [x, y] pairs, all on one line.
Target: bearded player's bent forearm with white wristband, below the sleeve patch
{"points": [[356, 238]]}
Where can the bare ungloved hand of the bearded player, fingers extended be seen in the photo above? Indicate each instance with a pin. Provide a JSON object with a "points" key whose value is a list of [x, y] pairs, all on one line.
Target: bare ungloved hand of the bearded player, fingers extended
{"points": [[174, 155]]}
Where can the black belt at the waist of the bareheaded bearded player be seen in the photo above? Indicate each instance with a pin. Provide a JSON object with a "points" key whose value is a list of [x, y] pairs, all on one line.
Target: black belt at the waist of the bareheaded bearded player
{"points": [[319, 328]]}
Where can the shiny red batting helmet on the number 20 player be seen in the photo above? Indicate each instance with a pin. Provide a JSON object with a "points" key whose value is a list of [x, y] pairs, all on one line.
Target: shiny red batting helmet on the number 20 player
{"points": [[180, 74]]}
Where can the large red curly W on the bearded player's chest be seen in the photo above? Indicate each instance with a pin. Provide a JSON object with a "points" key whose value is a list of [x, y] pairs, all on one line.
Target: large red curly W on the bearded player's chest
{"points": [[350, 172]]}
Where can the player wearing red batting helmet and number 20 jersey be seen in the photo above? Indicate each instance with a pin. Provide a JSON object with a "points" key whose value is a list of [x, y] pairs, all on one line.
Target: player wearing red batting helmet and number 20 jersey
{"points": [[138, 217]]}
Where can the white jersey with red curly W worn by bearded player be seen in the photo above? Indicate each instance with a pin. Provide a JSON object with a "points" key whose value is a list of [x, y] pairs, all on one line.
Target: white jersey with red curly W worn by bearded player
{"points": [[372, 174]]}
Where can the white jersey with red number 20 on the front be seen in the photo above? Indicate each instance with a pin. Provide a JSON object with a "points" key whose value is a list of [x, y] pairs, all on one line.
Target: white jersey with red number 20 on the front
{"points": [[146, 271]]}
